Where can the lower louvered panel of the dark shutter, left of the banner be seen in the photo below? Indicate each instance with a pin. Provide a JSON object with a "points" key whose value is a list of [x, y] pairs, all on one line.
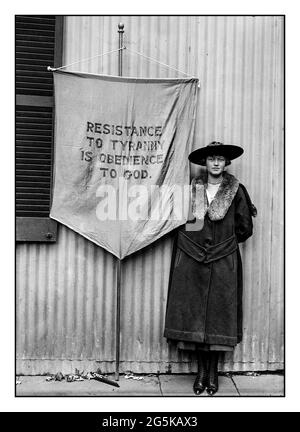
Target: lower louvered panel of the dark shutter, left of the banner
{"points": [[33, 160]]}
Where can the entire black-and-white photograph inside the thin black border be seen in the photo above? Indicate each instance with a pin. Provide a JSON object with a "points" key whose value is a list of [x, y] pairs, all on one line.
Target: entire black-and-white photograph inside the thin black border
{"points": [[149, 206]]}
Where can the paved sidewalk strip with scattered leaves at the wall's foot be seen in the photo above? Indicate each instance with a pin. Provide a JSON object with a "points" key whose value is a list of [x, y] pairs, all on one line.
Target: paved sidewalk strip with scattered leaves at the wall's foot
{"points": [[153, 385]]}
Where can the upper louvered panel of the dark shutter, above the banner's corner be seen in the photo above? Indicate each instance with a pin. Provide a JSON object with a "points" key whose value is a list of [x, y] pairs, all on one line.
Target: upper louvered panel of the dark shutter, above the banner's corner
{"points": [[35, 43]]}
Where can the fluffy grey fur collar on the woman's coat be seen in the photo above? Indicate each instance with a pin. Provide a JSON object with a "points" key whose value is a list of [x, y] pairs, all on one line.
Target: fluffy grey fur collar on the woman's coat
{"points": [[221, 202]]}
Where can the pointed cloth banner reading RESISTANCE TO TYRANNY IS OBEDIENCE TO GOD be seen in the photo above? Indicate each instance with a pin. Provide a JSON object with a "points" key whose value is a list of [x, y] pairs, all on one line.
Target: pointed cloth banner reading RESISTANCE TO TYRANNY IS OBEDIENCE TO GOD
{"points": [[121, 172]]}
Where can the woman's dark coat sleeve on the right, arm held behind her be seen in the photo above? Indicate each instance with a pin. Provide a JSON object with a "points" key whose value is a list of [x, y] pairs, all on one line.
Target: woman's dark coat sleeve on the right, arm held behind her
{"points": [[243, 217]]}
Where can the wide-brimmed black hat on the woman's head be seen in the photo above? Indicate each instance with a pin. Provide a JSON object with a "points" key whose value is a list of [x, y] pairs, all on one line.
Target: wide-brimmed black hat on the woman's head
{"points": [[215, 149]]}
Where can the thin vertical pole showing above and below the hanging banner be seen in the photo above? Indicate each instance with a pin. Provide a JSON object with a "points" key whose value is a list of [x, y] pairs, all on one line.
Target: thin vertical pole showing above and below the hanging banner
{"points": [[118, 308]]}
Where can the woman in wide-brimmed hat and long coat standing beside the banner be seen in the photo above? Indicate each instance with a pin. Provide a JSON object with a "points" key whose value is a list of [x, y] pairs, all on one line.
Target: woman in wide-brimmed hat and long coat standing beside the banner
{"points": [[204, 309]]}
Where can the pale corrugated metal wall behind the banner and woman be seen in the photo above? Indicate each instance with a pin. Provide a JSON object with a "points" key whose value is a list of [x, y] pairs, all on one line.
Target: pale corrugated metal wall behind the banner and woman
{"points": [[66, 291]]}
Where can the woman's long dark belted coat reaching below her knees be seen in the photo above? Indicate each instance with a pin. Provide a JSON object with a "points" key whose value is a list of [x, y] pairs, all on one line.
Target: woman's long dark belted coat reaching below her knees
{"points": [[205, 288]]}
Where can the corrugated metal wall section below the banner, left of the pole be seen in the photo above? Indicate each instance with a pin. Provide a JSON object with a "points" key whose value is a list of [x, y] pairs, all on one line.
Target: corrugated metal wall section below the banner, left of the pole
{"points": [[65, 306]]}
